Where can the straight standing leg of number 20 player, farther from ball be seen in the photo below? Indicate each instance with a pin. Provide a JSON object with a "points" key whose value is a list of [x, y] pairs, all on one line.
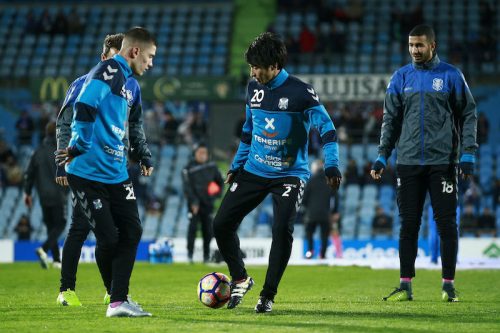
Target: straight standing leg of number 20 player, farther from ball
{"points": [[287, 196]]}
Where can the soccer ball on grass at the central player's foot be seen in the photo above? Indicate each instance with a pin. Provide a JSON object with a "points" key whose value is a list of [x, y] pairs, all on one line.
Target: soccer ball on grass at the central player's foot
{"points": [[214, 290]]}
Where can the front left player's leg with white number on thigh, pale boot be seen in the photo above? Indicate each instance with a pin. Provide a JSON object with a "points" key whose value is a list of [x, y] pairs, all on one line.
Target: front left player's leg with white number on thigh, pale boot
{"points": [[123, 205]]}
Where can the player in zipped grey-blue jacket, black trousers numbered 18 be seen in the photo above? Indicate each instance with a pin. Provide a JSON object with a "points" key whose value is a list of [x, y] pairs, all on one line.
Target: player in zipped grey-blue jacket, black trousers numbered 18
{"points": [[430, 117]]}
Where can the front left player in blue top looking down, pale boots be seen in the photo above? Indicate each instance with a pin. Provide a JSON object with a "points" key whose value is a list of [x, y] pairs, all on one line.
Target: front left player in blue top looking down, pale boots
{"points": [[96, 163]]}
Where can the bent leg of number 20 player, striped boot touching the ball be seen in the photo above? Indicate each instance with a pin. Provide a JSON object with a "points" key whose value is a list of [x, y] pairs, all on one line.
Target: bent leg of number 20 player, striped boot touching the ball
{"points": [[244, 194]]}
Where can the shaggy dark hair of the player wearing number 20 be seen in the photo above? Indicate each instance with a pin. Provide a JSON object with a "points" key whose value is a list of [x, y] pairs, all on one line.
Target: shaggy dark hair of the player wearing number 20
{"points": [[268, 49]]}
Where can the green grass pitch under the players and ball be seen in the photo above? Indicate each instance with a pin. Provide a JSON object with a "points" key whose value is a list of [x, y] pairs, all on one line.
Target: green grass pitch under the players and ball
{"points": [[310, 299]]}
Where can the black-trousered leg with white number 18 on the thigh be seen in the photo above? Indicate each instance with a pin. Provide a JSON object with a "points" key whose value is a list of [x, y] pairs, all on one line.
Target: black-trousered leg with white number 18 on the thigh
{"points": [[443, 189]]}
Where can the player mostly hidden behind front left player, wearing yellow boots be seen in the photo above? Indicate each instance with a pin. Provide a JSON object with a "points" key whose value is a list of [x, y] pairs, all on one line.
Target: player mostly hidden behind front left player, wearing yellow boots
{"points": [[80, 226]]}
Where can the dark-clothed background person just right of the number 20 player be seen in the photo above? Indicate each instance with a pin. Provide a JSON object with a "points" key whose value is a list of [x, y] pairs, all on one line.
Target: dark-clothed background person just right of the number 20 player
{"points": [[318, 207]]}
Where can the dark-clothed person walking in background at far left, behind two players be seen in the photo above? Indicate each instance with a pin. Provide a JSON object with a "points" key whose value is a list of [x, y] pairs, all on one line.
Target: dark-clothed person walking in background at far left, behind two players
{"points": [[41, 173]]}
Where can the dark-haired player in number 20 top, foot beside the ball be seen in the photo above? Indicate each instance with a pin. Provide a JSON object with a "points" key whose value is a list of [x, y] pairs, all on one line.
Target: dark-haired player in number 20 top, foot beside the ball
{"points": [[272, 159]]}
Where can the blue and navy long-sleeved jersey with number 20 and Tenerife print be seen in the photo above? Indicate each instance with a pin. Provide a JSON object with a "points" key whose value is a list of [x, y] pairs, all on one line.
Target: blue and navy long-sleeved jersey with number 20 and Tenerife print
{"points": [[274, 139]]}
